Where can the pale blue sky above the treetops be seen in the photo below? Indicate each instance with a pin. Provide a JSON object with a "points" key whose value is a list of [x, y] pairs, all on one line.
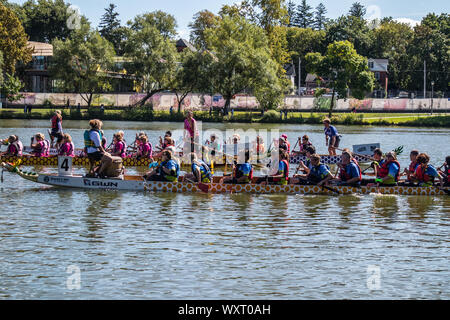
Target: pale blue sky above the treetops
{"points": [[183, 10]]}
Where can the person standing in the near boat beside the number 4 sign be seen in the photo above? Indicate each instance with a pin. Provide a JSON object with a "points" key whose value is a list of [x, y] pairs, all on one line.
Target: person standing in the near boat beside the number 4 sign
{"points": [[93, 147]]}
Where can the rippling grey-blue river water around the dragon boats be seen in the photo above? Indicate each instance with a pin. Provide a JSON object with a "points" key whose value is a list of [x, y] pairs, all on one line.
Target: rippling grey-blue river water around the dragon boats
{"points": [[74, 244]]}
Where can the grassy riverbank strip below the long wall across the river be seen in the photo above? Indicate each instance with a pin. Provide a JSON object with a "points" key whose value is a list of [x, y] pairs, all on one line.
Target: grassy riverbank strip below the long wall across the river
{"points": [[145, 114]]}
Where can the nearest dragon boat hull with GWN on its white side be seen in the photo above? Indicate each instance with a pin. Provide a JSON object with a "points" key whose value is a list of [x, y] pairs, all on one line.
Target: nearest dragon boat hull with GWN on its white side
{"points": [[137, 183]]}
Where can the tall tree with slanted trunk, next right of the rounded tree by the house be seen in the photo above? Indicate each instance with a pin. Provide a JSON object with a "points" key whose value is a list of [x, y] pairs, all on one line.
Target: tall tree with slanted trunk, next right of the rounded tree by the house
{"points": [[151, 48]]}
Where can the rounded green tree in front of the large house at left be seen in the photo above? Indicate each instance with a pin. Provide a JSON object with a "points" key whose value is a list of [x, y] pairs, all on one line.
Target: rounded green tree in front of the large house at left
{"points": [[82, 63]]}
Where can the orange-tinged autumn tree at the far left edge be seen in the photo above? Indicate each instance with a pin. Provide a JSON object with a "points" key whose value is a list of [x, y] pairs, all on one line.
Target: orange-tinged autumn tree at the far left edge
{"points": [[13, 40]]}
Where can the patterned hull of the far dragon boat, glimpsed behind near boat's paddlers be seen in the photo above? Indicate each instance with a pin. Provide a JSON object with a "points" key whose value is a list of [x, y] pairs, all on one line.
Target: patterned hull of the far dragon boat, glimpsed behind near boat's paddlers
{"points": [[29, 160]]}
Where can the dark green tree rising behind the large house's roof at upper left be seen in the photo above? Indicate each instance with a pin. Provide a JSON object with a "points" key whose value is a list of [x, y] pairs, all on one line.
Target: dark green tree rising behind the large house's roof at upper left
{"points": [[47, 20]]}
